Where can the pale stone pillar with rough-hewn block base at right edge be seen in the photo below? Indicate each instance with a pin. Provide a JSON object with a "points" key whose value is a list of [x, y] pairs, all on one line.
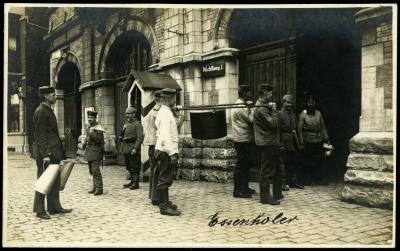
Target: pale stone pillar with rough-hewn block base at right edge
{"points": [[369, 178]]}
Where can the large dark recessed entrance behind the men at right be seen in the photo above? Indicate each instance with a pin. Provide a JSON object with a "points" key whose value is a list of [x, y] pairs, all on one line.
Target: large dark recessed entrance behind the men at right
{"points": [[298, 50]]}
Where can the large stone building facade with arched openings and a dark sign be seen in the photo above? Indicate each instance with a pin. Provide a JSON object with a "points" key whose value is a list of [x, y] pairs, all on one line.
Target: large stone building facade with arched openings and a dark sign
{"points": [[92, 50]]}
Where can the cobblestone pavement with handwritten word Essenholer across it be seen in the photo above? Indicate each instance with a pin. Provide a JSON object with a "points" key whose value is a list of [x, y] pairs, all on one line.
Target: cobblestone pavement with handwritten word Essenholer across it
{"points": [[122, 217]]}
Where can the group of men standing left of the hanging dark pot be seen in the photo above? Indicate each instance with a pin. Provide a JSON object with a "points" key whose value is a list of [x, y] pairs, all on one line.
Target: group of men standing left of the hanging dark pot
{"points": [[160, 134]]}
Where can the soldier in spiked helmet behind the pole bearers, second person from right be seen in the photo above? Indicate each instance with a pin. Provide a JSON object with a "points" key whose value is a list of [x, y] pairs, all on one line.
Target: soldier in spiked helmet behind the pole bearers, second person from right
{"points": [[289, 139]]}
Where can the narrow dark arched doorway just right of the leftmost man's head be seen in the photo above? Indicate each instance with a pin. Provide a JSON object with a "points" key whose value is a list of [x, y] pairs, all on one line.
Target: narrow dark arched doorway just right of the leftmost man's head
{"points": [[69, 81]]}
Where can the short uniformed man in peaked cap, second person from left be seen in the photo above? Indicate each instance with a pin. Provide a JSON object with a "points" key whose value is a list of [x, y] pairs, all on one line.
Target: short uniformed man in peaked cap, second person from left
{"points": [[94, 147]]}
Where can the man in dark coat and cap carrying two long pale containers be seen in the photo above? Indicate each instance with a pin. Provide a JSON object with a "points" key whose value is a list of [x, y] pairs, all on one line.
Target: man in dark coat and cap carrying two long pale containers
{"points": [[47, 149]]}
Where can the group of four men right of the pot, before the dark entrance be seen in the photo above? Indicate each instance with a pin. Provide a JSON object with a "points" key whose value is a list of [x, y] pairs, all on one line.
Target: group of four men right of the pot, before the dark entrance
{"points": [[278, 137]]}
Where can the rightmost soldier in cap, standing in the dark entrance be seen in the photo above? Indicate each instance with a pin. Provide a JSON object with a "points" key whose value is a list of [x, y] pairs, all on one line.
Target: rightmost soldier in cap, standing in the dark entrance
{"points": [[312, 135]]}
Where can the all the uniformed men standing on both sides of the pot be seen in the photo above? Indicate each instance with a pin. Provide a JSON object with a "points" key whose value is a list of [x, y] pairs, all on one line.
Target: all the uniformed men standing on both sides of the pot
{"points": [[276, 135]]}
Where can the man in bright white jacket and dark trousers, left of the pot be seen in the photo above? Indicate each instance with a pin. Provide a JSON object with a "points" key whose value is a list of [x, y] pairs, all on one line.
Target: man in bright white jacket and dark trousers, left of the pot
{"points": [[166, 151]]}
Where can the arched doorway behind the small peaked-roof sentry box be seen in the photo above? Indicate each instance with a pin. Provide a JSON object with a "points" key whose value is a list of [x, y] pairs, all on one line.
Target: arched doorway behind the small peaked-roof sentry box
{"points": [[130, 51]]}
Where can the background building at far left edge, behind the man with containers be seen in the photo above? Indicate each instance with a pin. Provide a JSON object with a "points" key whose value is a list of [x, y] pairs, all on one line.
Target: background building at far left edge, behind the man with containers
{"points": [[27, 68]]}
